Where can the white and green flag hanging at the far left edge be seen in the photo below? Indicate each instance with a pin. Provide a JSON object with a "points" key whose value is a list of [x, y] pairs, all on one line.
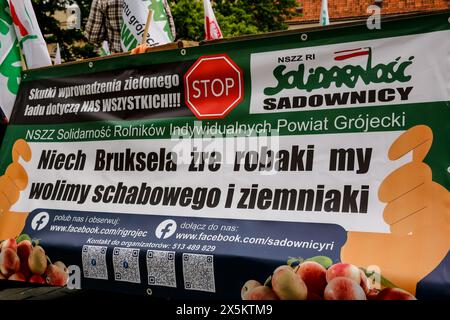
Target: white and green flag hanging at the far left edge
{"points": [[10, 62]]}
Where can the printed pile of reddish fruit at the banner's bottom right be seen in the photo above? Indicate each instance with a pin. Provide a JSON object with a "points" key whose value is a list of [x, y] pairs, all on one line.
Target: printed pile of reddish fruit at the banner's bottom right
{"points": [[318, 278]]}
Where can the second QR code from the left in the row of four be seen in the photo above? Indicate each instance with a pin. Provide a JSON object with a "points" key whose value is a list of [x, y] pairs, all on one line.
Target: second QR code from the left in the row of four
{"points": [[126, 265]]}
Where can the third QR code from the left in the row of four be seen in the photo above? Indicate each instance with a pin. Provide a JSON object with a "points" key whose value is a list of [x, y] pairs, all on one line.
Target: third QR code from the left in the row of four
{"points": [[161, 268]]}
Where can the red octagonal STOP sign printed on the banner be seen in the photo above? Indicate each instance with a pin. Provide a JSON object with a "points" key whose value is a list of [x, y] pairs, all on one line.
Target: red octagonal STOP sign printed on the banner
{"points": [[214, 85]]}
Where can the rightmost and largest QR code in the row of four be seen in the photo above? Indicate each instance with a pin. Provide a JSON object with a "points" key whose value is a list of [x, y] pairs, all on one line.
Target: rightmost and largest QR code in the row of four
{"points": [[198, 272]]}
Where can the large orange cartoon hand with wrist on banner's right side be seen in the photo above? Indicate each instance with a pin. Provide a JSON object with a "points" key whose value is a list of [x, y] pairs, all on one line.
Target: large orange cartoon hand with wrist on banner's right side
{"points": [[418, 213]]}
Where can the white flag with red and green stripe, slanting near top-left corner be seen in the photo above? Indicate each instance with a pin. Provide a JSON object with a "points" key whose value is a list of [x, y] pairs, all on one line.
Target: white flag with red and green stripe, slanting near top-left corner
{"points": [[29, 35]]}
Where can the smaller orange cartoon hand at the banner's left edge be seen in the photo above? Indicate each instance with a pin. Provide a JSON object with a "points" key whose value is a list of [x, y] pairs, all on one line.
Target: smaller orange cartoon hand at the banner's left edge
{"points": [[12, 183]]}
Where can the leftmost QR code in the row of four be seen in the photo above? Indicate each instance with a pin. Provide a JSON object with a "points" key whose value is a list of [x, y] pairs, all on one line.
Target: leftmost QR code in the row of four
{"points": [[94, 262]]}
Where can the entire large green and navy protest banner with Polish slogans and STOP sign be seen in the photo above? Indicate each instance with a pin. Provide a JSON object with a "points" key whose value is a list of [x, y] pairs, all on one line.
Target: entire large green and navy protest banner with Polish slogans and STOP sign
{"points": [[187, 172]]}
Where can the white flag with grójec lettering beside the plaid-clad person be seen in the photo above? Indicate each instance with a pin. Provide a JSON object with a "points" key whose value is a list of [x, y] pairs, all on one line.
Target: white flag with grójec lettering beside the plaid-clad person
{"points": [[135, 15]]}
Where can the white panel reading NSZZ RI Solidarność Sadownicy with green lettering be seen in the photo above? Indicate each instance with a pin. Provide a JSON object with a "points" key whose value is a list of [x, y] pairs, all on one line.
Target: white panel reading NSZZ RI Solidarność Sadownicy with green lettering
{"points": [[356, 74]]}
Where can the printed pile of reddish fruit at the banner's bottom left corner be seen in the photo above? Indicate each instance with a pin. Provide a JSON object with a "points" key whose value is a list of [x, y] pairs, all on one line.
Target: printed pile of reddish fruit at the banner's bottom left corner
{"points": [[22, 259]]}
